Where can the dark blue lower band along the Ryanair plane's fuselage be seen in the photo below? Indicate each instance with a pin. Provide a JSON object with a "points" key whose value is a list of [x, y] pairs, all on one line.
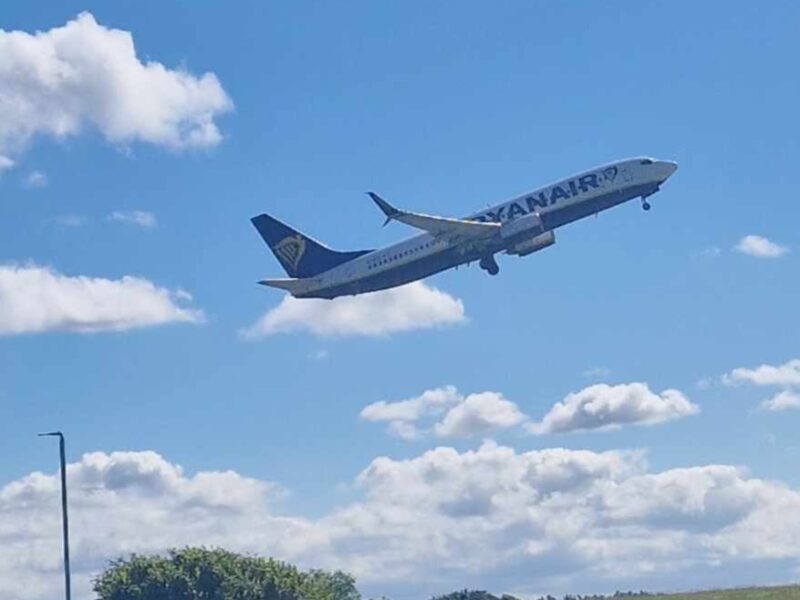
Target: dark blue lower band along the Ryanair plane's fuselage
{"points": [[454, 256]]}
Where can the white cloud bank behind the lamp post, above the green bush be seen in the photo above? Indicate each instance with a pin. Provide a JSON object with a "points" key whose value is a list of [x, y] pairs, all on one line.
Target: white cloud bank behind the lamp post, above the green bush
{"points": [[124, 502]]}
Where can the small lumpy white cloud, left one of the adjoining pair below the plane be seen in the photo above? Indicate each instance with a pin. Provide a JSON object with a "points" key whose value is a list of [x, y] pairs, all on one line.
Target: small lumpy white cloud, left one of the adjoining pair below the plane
{"points": [[461, 416]]}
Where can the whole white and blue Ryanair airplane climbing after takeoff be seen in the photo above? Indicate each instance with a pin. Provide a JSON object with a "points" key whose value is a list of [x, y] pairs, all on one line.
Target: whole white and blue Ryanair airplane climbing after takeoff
{"points": [[518, 227]]}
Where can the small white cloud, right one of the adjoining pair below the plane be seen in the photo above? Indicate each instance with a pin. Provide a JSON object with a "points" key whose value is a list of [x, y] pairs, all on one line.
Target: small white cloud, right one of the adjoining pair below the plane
{"points": [[603, 406]]}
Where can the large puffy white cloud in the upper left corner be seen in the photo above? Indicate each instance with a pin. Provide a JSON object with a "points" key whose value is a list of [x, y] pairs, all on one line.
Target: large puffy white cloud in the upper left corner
{"points": [[84, 75]]}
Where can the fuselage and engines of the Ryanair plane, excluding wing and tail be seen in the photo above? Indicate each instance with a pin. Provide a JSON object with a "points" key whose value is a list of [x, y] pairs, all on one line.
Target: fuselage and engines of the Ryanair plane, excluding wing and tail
{"points": [[527, 224]]}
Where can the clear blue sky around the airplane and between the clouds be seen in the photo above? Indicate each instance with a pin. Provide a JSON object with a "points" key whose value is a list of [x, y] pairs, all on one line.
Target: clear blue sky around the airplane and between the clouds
{"points": [[442, 107]]}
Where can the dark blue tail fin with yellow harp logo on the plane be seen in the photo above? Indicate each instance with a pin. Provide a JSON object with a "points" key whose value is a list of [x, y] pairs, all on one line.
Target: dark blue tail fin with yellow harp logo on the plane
{"points": [[299, 255]]}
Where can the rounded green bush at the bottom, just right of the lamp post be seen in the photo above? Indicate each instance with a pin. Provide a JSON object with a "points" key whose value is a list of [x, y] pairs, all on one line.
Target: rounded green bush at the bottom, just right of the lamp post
{"points": [[203, 574]]}
